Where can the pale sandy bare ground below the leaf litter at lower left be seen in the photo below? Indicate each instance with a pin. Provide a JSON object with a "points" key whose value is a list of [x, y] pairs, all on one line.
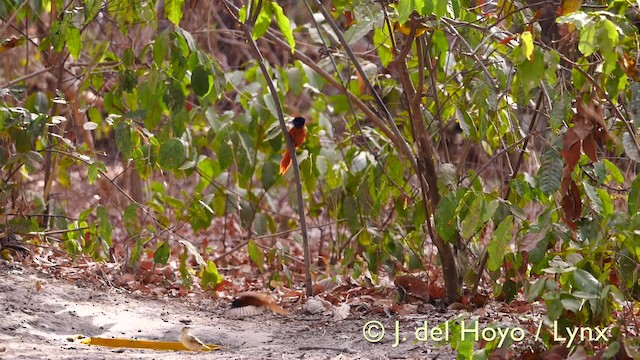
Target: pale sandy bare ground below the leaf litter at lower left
{"points": [[38, 313]]}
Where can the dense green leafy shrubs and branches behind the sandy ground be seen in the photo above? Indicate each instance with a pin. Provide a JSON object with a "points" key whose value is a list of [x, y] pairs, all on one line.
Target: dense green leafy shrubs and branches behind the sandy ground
{"points": [[503, 136]]}
